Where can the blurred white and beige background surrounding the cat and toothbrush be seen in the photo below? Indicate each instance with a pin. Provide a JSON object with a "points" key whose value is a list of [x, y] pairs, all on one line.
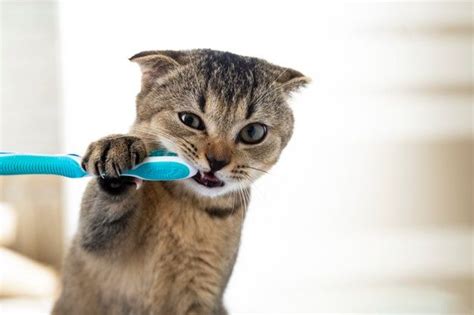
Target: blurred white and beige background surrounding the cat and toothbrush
{"points": [[370, 208]]}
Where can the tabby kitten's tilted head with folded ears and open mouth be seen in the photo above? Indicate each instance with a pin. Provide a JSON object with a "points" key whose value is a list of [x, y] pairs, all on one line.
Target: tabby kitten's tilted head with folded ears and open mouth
{"points": [[223, 113]]}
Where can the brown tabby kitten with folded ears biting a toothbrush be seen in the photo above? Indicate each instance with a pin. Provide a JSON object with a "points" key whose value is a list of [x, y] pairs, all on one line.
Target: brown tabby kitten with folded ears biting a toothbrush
{"points": [[170, 247]]}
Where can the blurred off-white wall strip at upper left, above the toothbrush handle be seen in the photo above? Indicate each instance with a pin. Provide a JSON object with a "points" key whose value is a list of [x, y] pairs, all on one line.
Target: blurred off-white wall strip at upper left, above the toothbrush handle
{"points": [[30, 97]]}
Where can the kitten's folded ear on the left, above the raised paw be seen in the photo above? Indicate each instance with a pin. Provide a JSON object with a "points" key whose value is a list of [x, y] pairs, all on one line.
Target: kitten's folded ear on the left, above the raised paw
{"points": [[157, 63]]}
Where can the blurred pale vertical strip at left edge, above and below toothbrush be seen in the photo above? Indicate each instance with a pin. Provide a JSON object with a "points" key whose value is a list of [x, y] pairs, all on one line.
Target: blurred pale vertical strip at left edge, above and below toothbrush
{"points": [[30, 121]]}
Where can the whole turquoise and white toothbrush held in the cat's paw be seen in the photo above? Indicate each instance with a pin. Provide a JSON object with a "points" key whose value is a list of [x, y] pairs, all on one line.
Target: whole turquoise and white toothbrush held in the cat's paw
{"points": [[161, 165]]}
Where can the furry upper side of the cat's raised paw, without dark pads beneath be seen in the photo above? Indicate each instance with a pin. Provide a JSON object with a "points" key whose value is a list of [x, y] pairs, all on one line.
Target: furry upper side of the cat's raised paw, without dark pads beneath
{"points": [[109, 157]]}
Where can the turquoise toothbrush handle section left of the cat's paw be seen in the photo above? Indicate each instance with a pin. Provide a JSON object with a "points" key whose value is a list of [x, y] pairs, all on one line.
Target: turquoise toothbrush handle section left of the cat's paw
{"points": [[23, 164]]}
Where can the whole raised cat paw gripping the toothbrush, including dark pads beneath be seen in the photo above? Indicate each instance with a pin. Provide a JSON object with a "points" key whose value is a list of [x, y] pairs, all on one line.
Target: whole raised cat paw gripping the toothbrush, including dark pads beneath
{"points": [[109, 157]]}
